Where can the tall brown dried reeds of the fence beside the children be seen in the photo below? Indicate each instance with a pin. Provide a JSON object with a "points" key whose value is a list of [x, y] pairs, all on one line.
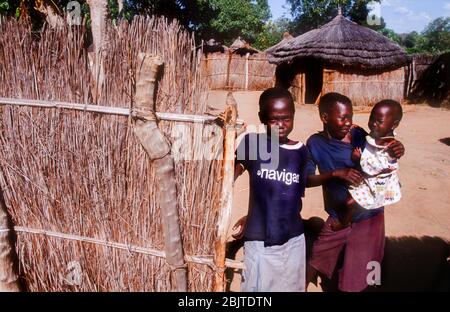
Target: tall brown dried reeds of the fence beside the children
{"points": [[84, 175]]}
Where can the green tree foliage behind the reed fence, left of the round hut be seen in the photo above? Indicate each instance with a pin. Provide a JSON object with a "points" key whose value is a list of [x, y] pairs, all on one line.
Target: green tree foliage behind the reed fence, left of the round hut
{"points": [[223, 20]]}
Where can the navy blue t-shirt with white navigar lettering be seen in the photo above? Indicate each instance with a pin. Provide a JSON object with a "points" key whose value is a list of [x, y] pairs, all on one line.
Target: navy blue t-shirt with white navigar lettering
{"points": [[277, 185]]}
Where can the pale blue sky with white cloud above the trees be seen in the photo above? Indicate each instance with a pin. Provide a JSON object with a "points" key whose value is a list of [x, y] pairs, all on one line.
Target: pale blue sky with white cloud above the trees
{"points": [[402, 16]]}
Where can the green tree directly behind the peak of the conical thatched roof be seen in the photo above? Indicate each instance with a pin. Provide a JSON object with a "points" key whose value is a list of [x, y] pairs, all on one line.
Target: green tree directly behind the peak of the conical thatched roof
{"points": [[311, 14]]}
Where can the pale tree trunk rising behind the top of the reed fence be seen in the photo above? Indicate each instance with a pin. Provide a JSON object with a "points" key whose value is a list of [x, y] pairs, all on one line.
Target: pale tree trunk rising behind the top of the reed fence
{"points": [[99, 12]]}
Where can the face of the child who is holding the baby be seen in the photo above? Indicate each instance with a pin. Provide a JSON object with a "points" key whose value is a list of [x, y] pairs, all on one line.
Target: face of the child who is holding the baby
{"points": [[338, 120]]}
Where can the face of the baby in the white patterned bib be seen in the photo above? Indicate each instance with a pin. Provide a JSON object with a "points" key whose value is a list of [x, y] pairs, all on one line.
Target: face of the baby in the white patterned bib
{"points": [[382, 122]]}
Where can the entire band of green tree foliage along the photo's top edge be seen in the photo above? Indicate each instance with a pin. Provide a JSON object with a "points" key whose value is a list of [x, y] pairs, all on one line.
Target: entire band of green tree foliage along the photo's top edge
{"points": [[224, 20]]}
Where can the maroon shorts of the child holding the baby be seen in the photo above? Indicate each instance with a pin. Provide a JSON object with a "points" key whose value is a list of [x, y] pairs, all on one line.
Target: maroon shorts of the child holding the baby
{"points": [[363, 241]]}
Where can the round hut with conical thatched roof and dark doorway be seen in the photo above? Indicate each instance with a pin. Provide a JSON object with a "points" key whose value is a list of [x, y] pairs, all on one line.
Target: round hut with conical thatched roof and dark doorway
{"points": [[344, 57]]}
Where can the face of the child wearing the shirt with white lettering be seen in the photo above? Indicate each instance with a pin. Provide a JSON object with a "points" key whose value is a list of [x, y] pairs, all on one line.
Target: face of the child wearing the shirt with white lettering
{"points": [[279, 115]]}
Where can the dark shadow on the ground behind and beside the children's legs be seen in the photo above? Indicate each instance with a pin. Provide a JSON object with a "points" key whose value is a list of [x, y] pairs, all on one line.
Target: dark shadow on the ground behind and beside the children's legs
{"points": [[413, 264]]}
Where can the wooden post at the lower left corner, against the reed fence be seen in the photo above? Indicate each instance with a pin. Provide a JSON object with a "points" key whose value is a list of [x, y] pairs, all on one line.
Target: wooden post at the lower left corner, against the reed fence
{"points": [[9, 279]]}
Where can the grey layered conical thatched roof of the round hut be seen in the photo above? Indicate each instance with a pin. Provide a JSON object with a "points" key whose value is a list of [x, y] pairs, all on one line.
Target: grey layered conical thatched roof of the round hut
{"points": [[342, 42]]}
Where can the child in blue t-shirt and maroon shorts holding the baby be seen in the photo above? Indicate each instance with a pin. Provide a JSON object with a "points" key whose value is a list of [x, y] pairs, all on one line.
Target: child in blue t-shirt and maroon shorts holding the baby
{"points": [[362, 240]]}
